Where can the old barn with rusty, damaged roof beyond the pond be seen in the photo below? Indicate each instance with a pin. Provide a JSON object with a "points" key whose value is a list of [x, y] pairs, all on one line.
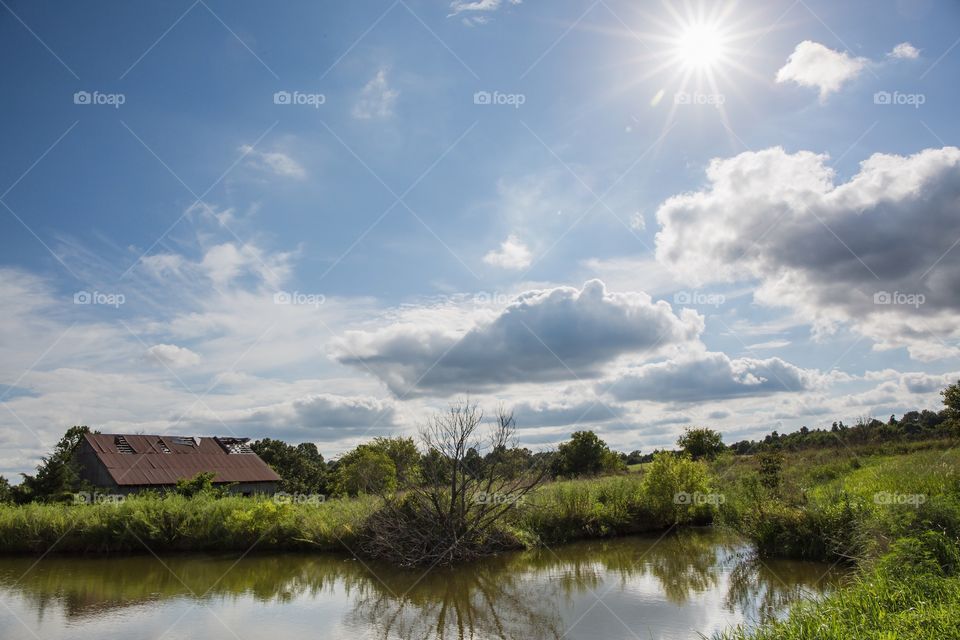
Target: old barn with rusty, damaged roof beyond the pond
{"points": [[126, 463]]}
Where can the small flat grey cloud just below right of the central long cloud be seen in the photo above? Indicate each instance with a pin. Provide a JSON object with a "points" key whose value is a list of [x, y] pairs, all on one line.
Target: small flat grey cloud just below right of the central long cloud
{"points": [[711, 376]]}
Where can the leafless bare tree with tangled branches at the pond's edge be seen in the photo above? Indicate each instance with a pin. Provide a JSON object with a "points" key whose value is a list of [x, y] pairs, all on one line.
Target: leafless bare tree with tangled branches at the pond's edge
{"points": [[459, 510]]}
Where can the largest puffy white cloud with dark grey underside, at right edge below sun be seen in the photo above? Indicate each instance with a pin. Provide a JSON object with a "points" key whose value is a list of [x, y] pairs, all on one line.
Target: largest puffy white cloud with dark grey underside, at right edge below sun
{"points": [[876, 251]]}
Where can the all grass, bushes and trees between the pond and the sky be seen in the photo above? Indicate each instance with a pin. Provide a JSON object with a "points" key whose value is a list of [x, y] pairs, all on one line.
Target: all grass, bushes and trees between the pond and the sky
{"points": [[883, 497]]}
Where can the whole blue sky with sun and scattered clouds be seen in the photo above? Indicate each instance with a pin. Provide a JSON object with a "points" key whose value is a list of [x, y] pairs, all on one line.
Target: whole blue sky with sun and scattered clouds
{"points": [[324, 221]]}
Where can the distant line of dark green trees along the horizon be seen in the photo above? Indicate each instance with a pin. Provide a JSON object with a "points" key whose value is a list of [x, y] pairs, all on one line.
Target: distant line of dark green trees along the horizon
{"points": [[390, 463]]}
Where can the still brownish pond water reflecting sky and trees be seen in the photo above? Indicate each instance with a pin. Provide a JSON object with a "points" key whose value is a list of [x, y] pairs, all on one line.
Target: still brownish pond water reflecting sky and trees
{"points": [[694, 582]]}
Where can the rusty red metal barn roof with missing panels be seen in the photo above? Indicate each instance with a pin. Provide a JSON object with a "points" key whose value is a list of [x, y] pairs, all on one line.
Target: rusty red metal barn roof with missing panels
{"points": [[149, 464]]}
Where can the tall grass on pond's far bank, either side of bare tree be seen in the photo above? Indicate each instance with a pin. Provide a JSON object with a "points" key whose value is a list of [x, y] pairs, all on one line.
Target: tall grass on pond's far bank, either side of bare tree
{"points": [[555, 512]]}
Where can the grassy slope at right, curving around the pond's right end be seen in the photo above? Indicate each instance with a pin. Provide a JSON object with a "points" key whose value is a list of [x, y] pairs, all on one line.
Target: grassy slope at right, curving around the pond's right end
{"points": [[897, 517]]}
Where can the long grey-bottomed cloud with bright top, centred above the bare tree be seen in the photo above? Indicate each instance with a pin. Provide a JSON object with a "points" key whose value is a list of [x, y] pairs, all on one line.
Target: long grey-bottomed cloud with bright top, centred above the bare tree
{"points": [[552, 334]]}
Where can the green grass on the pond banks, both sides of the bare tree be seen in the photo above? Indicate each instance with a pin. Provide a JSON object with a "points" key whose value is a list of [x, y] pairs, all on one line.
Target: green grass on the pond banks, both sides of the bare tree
{"points": [[893, 513]]}
